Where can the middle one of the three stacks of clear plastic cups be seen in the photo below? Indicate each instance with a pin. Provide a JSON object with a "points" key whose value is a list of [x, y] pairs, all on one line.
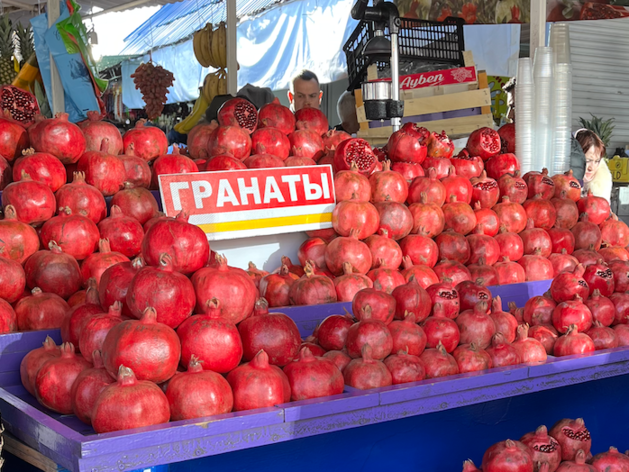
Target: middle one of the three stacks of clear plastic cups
{"points": [[542, 109]]}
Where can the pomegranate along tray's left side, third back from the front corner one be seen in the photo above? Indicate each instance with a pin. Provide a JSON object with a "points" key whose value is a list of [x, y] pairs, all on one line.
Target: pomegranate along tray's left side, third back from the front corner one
{"points": [[53, 384]]}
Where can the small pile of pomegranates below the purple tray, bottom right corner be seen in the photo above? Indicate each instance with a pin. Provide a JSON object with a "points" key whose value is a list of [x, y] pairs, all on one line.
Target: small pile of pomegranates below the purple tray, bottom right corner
{"points": [[565, 448]]}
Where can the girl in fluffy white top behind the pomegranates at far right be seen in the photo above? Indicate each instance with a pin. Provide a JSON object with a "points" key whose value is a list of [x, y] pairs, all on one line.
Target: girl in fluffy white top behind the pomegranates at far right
{"points": [[597, 177]]}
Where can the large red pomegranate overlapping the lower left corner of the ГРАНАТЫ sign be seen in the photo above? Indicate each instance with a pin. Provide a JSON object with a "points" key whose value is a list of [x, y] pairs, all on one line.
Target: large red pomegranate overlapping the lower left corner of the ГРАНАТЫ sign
{"points": [[185, 243]]}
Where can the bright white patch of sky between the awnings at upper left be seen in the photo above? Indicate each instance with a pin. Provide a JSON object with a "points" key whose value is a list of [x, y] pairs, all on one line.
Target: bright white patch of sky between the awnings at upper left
{"points": [[112, 28]]}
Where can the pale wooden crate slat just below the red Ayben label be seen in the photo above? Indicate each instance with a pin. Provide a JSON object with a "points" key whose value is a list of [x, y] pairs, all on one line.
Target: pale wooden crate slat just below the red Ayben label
{"points": [[438, 104]]}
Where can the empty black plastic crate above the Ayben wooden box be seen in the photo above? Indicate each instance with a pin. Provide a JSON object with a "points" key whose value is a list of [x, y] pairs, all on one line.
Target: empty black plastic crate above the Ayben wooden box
{"points": [[420, 42]]}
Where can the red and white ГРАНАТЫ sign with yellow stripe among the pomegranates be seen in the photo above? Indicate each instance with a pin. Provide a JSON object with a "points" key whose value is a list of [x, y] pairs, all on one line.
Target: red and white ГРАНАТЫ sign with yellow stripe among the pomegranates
{"points": [[252, 202]]}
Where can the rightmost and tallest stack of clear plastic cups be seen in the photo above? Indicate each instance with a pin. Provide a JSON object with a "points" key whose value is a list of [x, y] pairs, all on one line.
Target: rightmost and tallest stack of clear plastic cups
{"points": [[562, 98]]}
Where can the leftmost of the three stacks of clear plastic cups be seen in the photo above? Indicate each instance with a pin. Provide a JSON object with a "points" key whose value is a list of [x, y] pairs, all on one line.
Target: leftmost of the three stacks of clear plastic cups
{"points": [[524, 100]]}
